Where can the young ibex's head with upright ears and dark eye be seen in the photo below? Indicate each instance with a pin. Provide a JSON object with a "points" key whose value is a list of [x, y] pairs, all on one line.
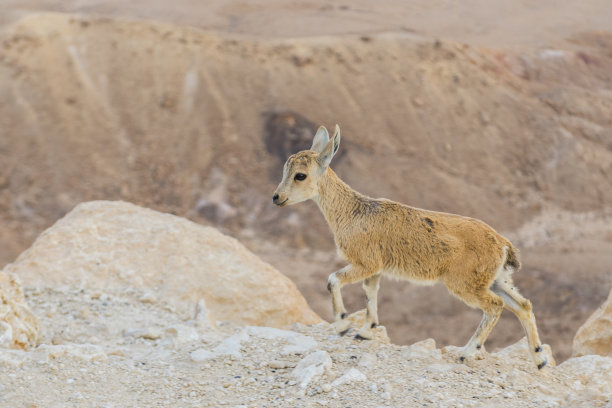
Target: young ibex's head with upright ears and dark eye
{"points": [[303, 170]]}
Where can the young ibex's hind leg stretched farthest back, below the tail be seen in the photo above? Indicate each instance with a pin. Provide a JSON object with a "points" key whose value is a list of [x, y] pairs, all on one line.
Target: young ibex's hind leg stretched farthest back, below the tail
{"points": [[521, 307]]}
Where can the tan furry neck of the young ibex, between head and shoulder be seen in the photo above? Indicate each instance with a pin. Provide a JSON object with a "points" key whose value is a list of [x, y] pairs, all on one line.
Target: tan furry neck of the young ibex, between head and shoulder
{"points": [[337, 200]]}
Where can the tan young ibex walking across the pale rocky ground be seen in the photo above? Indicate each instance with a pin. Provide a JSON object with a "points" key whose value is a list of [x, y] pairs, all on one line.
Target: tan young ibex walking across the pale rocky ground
{"points": [[381, 237]]}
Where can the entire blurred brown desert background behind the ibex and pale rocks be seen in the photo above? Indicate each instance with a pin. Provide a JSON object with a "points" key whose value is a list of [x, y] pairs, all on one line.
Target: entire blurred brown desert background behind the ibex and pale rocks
{"points": [[500, 110]]}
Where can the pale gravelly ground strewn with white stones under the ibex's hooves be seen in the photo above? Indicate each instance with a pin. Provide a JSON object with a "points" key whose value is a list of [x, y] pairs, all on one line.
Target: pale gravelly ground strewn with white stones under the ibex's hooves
{"points": [[123, 349]]}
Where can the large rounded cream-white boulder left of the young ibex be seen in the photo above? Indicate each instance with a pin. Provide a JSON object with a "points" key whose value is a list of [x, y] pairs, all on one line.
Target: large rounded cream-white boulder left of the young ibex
{"points": [[111, 245]]}
